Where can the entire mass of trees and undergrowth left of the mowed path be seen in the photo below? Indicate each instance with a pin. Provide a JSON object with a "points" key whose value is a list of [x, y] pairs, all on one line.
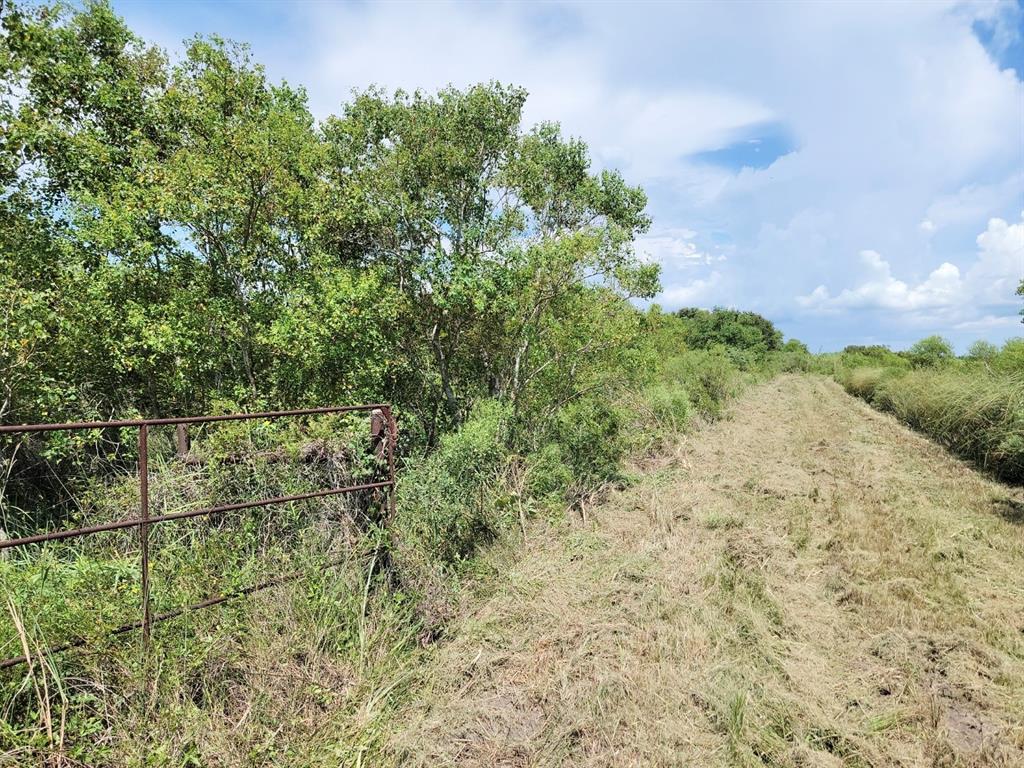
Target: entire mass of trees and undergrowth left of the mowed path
{"points": [[182, 238]]}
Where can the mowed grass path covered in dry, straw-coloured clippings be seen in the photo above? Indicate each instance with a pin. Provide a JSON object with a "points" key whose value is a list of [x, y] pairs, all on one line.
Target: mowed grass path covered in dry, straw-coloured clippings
{"points": [[804, 584]]}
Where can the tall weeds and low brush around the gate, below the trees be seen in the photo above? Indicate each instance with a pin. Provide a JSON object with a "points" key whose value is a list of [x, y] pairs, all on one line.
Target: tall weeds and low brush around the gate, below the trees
{"points": [[316, 667]]}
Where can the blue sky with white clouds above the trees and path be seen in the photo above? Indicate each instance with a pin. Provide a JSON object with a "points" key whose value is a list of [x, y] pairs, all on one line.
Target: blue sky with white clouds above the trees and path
{"points": [[855, 173]]}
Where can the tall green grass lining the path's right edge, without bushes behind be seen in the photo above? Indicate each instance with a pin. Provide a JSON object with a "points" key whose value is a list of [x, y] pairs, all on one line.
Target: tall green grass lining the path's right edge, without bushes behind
{"points": [[974, 411]]}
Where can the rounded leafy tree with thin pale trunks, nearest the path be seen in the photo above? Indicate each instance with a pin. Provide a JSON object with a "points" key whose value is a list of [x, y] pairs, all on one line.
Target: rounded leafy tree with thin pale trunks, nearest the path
{"points": [[503, 245]]}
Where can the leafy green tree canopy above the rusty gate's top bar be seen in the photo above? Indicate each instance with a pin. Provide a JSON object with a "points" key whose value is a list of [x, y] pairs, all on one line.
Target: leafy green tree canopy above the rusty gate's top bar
{"points": [[183, 236]]}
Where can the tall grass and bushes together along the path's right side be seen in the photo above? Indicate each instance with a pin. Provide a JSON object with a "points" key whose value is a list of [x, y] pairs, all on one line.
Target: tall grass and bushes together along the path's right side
{"points": [[973, 405]]}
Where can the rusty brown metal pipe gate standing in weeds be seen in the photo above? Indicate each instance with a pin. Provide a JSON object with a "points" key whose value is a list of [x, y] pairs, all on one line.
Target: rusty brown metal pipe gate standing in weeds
{"points": [[383, 436]]}
